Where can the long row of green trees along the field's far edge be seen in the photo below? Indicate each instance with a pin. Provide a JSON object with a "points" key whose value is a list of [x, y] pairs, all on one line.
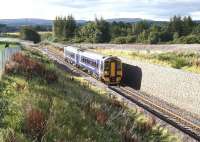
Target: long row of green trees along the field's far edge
{"points": [[177, 30]]}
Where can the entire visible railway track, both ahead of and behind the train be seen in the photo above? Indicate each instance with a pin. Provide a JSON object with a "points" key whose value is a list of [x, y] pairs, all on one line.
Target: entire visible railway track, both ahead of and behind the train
{"points": [[185, 125]]}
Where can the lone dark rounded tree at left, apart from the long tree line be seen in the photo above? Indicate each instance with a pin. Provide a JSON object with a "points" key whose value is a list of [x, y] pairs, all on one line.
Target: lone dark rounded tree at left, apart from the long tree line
{"points": [[27, 33]]}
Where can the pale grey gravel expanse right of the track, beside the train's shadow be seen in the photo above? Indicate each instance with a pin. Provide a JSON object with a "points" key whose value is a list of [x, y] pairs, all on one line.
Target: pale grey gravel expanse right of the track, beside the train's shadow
{"points": [[177, 87]]}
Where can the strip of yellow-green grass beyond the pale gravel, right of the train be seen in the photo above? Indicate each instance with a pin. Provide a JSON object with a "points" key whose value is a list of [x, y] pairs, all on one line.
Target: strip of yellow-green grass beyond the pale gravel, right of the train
{"points": [[184, 61]]}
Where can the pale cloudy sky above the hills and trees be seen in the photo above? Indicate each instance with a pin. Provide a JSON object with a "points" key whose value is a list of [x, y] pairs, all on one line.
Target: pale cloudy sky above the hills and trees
{"points": [[89, 9]]}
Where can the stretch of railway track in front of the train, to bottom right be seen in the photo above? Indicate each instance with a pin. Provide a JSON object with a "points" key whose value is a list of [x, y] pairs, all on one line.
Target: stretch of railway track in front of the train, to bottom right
{"points": [[186, 126]]}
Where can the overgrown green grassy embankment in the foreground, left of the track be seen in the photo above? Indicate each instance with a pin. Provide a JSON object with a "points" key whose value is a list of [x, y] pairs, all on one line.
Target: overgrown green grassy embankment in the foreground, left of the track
{"points": [[73, 111]]}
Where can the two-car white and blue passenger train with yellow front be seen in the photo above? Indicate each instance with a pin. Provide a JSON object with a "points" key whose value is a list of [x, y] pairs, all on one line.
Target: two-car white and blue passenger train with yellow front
{"points": [[105, 68]]}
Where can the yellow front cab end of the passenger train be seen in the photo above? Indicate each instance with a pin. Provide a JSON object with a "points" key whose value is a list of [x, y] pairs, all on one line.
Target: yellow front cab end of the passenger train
{"points": [[112, 73]]}
